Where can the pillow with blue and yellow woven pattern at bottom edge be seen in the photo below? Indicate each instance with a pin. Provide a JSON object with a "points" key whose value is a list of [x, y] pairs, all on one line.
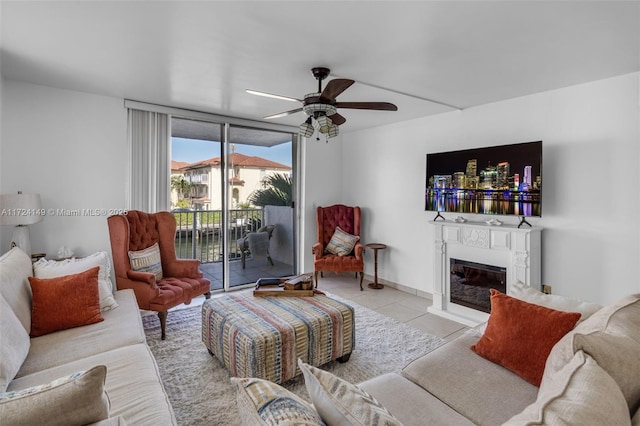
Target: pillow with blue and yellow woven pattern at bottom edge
{"points": [[266, 403]]}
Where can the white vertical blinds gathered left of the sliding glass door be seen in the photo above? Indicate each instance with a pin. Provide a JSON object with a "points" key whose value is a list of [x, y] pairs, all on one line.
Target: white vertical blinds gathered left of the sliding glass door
{"points": [[149, 160]]}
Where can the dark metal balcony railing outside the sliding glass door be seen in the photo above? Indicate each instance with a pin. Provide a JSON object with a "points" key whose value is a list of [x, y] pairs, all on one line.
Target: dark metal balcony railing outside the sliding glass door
{"points": [[199, 233]]}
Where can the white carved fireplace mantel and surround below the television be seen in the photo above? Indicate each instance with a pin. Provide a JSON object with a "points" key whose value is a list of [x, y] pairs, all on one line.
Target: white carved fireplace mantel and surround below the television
{"points": [[515, 249]]}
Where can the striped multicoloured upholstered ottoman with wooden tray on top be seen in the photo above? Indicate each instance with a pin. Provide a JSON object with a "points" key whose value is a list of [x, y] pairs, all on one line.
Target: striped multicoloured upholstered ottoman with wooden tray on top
{"points": [[263, 337]]}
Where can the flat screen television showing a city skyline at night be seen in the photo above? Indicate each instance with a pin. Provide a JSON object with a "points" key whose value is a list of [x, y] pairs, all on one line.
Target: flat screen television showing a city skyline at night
{"points": [[496, 180]]}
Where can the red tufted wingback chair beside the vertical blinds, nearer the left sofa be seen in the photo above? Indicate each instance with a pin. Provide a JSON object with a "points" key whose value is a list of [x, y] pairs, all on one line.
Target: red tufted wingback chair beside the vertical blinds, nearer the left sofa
{"points": [[182, 279]]}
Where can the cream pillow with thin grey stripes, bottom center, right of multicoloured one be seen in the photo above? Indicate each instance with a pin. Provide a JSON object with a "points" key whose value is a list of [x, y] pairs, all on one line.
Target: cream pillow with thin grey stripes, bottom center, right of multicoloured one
{"points": [[339, 402]]}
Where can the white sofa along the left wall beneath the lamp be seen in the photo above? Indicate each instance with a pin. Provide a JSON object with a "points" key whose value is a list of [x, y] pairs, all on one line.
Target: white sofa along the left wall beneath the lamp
{"points": [[133, 390]]}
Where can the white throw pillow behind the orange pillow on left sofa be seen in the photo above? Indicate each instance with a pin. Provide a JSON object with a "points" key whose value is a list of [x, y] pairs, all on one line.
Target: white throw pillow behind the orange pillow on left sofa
{"points": [[54, 269]]}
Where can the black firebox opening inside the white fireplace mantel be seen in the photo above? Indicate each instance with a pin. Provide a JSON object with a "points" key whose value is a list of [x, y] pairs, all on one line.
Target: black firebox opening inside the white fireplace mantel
{"points": [[470, 283]]}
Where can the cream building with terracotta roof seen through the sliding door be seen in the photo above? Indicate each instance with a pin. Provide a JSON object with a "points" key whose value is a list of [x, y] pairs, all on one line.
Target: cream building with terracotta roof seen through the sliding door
{"points": [[246, 175]]}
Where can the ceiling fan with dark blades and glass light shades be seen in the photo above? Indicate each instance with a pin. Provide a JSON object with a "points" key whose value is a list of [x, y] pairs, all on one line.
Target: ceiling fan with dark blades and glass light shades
{"points": [[321, 107]]}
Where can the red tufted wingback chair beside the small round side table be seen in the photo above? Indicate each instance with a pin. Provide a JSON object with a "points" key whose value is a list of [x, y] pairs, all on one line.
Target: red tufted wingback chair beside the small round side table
{"points": [[348, 219]]}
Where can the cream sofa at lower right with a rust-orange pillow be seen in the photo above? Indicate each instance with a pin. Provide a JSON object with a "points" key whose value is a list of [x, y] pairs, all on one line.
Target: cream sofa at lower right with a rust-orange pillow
{"points": [[592, 375]]}
